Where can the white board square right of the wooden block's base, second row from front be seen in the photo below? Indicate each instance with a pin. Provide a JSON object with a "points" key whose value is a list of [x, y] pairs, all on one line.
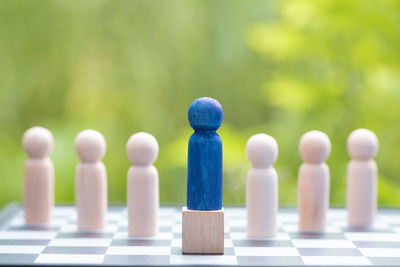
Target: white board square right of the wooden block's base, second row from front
{"points": [[266, 251]]}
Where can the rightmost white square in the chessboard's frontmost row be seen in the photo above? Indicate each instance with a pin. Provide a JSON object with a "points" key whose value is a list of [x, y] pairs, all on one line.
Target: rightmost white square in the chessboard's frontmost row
{"points": [[330, 260]]}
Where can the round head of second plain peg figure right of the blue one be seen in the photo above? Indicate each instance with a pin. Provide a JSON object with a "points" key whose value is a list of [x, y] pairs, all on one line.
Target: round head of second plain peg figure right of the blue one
{"points": [[314, 147]]}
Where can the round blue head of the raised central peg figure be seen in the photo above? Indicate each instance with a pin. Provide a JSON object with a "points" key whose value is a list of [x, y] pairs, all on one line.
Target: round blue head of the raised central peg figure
{"points": [[205, 113]]}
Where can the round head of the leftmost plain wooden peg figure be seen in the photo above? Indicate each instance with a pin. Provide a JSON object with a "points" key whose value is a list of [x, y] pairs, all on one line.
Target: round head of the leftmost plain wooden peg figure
{"points": [[38, 142]]}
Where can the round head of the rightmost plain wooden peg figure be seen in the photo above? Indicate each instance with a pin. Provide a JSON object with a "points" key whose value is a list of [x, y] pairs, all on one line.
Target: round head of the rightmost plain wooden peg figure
{"points": [[362, 144]]}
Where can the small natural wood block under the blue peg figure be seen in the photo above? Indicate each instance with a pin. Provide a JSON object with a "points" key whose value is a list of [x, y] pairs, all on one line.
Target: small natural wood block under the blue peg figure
{"points": [[202, 231]]}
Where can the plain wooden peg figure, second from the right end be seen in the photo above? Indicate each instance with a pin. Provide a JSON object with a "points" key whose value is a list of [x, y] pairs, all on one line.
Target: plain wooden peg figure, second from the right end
{"points": [[313, 182]]}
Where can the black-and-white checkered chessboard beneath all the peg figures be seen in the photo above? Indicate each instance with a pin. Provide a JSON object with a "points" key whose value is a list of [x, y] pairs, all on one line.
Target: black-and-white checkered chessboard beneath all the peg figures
{"points": [[62, 243]]}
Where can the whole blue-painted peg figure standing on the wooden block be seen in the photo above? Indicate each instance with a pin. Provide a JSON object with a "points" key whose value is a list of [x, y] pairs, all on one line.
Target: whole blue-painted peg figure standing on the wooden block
{"points": [[204, 177]]}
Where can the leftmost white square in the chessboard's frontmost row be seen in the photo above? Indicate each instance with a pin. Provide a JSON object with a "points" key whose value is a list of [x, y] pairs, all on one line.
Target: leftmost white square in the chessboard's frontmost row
{"points": [[69, 259]]}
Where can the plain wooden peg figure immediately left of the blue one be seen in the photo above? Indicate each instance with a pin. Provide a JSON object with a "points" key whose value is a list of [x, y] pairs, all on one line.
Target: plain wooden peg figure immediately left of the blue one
{"points": [[143, 191]]}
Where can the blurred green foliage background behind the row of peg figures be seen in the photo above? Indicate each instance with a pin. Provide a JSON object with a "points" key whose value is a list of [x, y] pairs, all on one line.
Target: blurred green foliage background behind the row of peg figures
{"points": [[277, 67]]}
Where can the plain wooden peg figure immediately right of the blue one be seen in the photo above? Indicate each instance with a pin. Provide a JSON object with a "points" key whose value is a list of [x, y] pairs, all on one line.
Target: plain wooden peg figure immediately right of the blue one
{"points": [[262, 186]]}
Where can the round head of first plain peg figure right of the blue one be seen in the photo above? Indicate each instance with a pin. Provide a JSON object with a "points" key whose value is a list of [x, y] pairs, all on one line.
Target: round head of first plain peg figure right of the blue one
{"points": [[262, 150]]}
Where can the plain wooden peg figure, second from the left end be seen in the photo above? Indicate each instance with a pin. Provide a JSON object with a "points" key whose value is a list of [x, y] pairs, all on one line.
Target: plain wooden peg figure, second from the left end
{"points": [[91, 180]]}
